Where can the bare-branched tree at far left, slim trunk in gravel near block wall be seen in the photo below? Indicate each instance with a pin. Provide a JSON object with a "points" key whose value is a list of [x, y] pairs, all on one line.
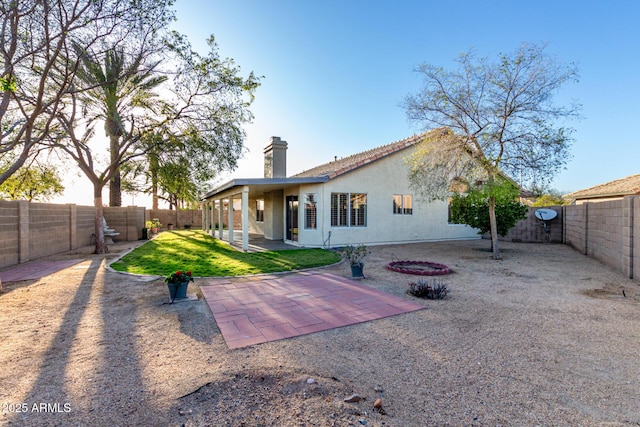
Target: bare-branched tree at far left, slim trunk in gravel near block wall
{"points": [[38, 82]]}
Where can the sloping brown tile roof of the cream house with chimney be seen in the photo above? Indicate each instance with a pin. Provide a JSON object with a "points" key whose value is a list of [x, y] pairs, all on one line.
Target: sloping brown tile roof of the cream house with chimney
{"points": [[347, 164]]}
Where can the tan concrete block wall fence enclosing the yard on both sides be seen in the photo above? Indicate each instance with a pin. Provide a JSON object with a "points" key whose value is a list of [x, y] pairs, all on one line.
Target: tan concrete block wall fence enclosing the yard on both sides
{"points": [[606, 231]]}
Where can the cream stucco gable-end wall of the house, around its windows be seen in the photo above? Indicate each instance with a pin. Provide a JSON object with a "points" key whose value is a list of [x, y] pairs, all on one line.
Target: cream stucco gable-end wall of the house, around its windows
{"points": [[380, 181]]}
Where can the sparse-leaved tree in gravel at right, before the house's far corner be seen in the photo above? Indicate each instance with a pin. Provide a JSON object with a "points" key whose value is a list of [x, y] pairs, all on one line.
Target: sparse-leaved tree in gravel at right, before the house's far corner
{"points": [[503, 116]]}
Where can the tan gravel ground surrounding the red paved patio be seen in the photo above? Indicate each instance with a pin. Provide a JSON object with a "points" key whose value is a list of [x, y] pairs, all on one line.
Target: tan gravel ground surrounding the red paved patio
{"points": [[544, 337]]}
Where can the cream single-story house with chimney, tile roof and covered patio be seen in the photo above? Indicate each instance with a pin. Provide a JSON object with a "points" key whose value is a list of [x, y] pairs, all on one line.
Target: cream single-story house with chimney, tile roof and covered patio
{"points": [[364, 198]]}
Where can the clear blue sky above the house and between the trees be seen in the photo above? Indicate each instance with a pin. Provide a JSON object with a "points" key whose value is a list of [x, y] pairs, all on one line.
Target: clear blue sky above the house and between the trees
{"points": [[335, 71]]}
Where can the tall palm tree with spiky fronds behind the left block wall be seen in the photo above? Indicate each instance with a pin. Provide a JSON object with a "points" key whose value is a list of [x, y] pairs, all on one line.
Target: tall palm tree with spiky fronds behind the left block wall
{"points": [[115, 89]]}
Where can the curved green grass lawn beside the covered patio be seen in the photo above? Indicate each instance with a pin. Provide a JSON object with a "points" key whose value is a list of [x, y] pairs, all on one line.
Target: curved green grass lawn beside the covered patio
{"points": [[205, 256]]}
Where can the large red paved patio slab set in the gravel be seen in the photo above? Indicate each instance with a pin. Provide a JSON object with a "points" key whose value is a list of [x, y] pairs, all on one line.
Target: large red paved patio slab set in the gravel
{"points": [[259, 309]]}
